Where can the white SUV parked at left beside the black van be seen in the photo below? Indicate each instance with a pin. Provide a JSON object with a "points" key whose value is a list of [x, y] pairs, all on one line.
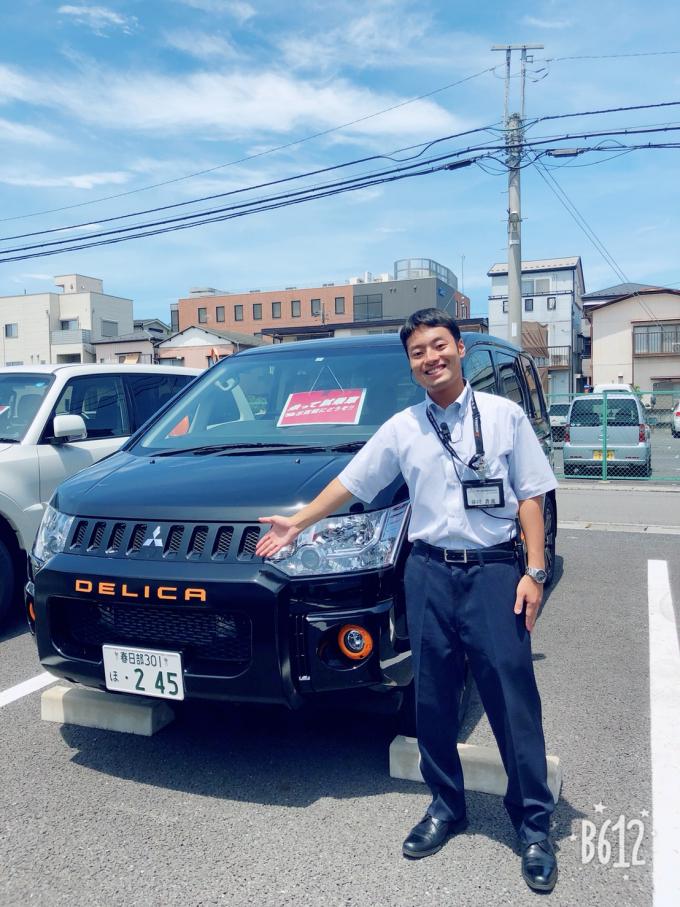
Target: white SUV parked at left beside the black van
{"points": [[54, 421]]}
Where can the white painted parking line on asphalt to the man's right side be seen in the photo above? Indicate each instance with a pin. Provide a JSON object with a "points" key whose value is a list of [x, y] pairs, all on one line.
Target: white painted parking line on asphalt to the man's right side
{"points": [[664, 690]]}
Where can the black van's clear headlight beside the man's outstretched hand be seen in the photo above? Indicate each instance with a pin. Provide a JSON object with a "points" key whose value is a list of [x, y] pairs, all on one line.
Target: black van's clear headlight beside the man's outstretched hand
{"points": [[360, 541]]}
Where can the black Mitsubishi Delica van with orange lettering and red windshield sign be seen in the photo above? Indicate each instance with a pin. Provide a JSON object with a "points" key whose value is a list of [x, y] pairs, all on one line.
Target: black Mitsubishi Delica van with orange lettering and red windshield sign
{"points": [[144, 577]]}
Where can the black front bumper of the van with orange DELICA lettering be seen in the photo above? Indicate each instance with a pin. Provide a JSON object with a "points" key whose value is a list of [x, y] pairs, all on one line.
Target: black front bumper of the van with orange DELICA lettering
{"points": [[245, 633]]}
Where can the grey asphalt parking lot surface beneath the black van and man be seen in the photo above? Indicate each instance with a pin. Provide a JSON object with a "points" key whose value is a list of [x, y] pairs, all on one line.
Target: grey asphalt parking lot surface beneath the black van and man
{"points": [[240, 805]]}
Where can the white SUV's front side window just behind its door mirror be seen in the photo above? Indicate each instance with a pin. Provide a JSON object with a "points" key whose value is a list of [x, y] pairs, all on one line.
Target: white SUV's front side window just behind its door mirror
{"points": [[100, 400]]}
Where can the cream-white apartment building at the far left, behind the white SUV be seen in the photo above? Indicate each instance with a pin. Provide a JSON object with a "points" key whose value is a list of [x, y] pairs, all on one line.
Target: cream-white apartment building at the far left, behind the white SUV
{"points": [[61, 326]]}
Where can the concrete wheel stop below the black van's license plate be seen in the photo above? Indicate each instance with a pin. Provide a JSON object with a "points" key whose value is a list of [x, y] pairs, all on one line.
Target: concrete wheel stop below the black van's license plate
{"points": [[107, 711]]}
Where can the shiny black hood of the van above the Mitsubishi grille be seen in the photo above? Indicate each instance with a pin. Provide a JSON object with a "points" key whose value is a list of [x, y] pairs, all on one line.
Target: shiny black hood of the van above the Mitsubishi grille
{"points": [[207, 487]]}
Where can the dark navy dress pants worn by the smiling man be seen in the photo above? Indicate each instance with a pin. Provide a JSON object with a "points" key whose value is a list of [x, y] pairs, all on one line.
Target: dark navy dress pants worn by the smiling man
{"points": [[467, 609]]}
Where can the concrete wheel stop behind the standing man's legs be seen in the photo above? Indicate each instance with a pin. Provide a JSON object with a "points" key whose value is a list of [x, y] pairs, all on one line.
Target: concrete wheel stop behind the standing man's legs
{"points": [[482, 767]]}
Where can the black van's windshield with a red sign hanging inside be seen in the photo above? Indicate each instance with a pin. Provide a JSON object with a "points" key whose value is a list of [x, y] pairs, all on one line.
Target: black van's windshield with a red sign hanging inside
{"points": [[291, 397]]}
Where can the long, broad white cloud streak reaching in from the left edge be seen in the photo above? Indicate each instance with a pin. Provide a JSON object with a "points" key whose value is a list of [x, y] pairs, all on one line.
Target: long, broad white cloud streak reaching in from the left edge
{"points": [[237, 104]]}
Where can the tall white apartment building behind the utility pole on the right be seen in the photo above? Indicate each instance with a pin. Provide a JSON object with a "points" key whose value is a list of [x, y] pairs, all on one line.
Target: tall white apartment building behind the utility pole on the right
{"points": [[552, 291]]}
